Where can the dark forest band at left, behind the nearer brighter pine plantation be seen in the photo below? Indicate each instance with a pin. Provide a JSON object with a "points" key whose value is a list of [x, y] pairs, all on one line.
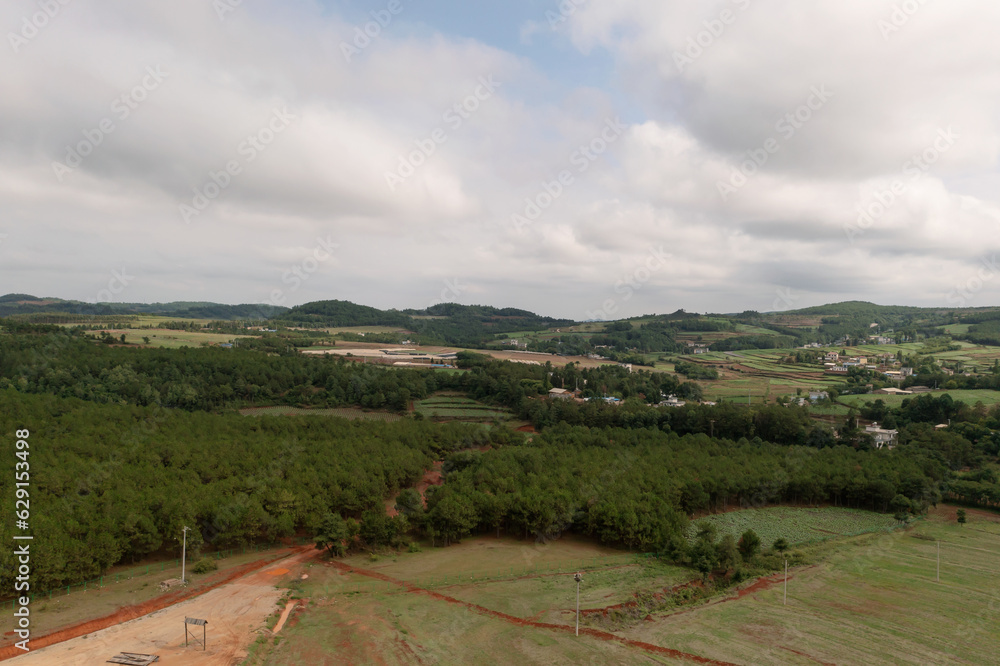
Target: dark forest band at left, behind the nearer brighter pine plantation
{"points": [[257, 370]]}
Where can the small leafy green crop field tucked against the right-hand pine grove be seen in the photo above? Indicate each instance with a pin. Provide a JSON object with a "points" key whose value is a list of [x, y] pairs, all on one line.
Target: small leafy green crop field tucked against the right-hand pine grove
{"points": [[798, 525]]}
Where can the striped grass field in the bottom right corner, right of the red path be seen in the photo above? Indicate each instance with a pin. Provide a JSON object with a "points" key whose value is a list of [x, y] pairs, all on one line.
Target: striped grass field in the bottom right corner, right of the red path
{"points": [[871, 600]]}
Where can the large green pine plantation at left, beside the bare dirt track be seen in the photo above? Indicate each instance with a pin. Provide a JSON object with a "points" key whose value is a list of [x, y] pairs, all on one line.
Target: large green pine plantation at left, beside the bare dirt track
{"points": [[113, 484]]}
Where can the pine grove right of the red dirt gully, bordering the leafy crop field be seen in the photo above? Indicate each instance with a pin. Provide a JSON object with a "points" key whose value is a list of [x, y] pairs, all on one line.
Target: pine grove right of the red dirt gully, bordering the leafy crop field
{"points": [[635, 487]]}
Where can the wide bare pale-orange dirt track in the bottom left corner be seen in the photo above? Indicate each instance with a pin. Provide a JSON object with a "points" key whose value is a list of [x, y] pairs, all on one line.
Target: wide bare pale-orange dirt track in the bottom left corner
{"points": [[235, 611]]}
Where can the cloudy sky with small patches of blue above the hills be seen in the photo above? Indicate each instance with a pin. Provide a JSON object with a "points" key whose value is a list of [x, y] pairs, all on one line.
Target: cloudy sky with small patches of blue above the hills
{"points": [[583, 159]]}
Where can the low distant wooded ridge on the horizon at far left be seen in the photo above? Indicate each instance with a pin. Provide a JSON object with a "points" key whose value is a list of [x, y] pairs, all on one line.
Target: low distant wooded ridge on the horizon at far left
{"points": [[26, 304]]}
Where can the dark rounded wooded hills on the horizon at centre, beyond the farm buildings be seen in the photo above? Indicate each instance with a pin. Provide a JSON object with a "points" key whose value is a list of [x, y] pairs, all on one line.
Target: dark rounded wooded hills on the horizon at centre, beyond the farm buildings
{"points": [[448, 323]]}
